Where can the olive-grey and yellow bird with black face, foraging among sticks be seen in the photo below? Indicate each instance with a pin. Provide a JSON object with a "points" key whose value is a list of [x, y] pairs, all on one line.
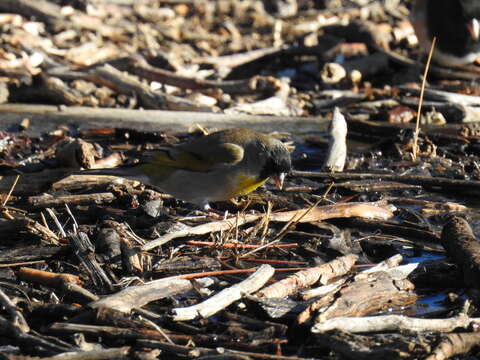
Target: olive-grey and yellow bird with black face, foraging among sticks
{"points": [[215, 167]]}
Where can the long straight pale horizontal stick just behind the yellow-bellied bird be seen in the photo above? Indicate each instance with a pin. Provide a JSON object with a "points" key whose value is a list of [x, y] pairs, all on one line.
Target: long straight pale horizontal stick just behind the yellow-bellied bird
{"points": [[45, 118]]}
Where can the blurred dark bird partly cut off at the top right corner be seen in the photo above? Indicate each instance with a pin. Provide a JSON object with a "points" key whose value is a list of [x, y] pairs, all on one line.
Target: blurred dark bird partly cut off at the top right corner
{"points": [[456, 26]]}
